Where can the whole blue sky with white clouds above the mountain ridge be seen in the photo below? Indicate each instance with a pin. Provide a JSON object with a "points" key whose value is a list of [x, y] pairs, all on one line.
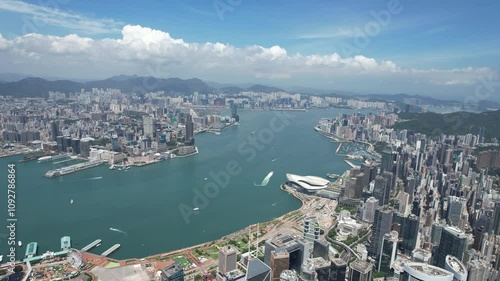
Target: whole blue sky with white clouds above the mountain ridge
{"points": [[443, 49]]}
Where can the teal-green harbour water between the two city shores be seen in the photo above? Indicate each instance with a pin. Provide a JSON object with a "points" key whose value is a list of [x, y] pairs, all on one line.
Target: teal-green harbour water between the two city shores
{"points": [[144, 202]]}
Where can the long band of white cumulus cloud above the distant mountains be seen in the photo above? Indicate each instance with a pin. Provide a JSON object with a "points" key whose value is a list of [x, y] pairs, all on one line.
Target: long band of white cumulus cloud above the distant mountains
{"points": [[141, 49]]}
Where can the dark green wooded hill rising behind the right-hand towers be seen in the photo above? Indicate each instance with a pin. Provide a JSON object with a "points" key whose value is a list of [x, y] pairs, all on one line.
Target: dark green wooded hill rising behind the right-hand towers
{"points": [[457, 123]]}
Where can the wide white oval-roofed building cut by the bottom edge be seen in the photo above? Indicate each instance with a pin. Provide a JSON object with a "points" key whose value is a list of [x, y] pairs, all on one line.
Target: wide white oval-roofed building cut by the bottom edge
{"points": [[417, 271]]}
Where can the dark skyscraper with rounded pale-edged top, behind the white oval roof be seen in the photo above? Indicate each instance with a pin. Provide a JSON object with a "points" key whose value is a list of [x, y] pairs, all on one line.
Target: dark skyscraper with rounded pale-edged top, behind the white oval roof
{"points": [[453, 242]]}
